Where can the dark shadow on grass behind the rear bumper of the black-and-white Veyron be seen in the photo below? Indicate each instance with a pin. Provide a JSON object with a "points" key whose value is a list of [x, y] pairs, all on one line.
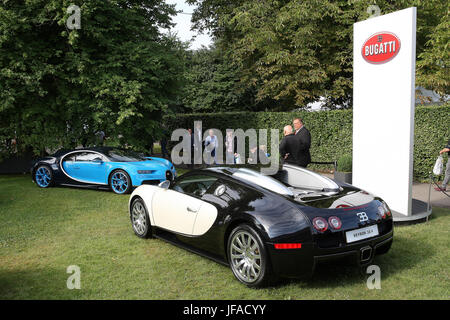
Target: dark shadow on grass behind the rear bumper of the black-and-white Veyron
{"points": [[403, 255]]}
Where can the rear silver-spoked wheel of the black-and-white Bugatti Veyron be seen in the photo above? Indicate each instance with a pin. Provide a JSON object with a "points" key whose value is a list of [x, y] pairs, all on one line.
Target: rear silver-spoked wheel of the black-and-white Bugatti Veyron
{"points": [[248, 257]]}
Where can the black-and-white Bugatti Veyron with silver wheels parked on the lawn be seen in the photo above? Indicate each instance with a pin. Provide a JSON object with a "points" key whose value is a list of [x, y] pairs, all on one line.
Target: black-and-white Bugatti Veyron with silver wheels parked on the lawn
{"points": [[264, 227]]}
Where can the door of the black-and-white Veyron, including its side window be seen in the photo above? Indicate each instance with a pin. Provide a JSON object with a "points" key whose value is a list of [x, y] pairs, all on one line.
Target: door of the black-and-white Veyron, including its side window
{"points": [[177, 209]]}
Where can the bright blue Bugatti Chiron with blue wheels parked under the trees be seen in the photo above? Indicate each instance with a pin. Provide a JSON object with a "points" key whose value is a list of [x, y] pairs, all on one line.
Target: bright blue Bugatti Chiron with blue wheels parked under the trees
{"points": [[101, 167]]}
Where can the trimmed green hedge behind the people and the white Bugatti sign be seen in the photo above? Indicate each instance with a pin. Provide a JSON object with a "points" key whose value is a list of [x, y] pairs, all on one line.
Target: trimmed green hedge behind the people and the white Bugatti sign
{"points": [[331, 131]]}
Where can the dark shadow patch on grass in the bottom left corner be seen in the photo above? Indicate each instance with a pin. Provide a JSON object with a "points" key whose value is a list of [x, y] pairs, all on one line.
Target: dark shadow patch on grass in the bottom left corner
{"points": [[37, 284]]}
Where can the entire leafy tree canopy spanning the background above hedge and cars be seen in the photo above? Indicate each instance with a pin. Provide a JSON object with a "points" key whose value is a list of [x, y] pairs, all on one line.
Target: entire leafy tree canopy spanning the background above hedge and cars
{"points": [[119, 73]]}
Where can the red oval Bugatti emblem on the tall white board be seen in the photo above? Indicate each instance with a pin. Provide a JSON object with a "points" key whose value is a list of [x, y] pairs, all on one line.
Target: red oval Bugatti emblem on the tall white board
{"points": [[380, 47]]}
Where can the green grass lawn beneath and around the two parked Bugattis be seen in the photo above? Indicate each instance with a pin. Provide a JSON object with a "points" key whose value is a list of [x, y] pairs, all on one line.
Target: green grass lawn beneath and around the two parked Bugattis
{"points": [[42, 232]]}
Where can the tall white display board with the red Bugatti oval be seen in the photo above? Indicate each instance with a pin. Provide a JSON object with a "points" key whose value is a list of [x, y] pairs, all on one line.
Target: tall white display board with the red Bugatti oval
{"points": [[384, 55]]}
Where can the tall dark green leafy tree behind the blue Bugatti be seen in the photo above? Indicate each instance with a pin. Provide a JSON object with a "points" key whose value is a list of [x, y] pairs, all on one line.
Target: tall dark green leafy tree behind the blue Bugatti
{"points": [[117, 73]]}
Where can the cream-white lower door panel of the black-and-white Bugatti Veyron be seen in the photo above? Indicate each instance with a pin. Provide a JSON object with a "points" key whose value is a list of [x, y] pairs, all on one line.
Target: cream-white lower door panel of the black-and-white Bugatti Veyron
{"points": [[170, 211]]}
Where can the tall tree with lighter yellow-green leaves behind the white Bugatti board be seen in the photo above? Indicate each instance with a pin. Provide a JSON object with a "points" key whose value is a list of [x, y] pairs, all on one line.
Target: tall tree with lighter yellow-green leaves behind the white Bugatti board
{"points": [[297, 51]]}
